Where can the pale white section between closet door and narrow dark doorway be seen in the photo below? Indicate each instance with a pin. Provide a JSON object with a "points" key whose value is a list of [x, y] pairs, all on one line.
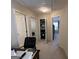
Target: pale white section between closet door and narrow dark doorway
{"points": [[31, 25]]}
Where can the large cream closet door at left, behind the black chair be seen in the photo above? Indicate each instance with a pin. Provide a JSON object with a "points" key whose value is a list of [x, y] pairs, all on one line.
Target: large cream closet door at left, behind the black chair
{"points": [[20, 21]]}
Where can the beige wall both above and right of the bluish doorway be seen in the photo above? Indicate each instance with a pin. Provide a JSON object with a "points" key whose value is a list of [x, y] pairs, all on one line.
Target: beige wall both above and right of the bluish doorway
{"points": [[63, 13]]}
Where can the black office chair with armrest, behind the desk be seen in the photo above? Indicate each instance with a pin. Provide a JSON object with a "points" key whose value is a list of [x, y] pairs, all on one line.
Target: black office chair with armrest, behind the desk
{"points": [[30, 42]]}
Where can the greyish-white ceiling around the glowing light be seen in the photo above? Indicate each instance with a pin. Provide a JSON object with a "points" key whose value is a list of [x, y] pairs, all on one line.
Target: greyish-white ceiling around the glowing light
{"points": [[35, 4]]}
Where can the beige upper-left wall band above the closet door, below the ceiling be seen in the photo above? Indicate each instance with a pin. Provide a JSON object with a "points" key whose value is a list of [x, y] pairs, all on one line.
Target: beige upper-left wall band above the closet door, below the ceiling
{"points": [[26, 11]]}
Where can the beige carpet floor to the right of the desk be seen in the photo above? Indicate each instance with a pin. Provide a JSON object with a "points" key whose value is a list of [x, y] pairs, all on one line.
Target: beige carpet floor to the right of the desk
{"points": [[49, 51]]}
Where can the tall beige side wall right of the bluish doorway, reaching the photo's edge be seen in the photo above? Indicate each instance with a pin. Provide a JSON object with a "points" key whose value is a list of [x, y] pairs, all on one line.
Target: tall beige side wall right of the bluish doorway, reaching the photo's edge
{"points": [[64, 31]]}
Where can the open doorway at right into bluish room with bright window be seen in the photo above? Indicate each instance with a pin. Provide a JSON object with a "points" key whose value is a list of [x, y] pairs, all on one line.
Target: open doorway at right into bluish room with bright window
{"points": [[55, 29]]}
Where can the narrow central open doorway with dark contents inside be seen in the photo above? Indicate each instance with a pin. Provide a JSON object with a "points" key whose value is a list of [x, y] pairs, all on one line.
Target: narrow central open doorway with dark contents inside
{"points": [[43, 30]]}
